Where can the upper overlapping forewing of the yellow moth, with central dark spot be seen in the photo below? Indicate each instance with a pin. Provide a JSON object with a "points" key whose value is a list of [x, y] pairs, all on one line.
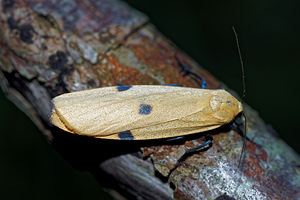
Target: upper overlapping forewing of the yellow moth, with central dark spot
{"points": [[108, 111]]}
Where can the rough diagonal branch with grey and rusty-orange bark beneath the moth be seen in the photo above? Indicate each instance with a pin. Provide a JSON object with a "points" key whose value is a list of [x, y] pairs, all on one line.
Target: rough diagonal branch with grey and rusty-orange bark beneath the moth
{"points": [[52, 48]]}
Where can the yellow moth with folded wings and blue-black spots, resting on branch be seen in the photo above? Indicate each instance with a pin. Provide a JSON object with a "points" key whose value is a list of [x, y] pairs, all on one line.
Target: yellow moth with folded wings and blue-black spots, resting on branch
{"points": [[143, 112]]}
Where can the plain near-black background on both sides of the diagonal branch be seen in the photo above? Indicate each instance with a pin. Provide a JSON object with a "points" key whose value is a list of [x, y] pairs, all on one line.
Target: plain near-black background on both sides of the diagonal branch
{"points": [[269, 38]]}
